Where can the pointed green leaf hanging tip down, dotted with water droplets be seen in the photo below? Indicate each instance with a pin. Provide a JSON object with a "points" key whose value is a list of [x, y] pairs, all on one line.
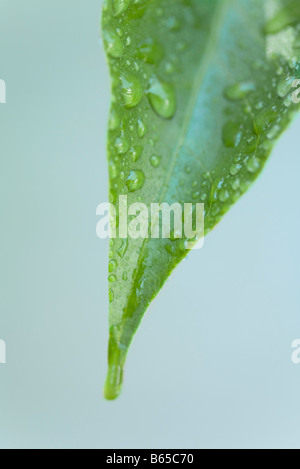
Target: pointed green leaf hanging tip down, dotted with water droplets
{"points": [[200, 92]]}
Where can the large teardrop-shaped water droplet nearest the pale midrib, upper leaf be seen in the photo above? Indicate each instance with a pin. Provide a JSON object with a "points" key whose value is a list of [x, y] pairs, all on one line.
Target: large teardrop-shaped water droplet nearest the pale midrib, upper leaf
{"points": [[162, 98]]}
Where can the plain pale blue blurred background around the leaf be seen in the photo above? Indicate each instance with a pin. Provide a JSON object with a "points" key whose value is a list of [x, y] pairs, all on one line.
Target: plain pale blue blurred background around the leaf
{"points": [[211, 365]]}
